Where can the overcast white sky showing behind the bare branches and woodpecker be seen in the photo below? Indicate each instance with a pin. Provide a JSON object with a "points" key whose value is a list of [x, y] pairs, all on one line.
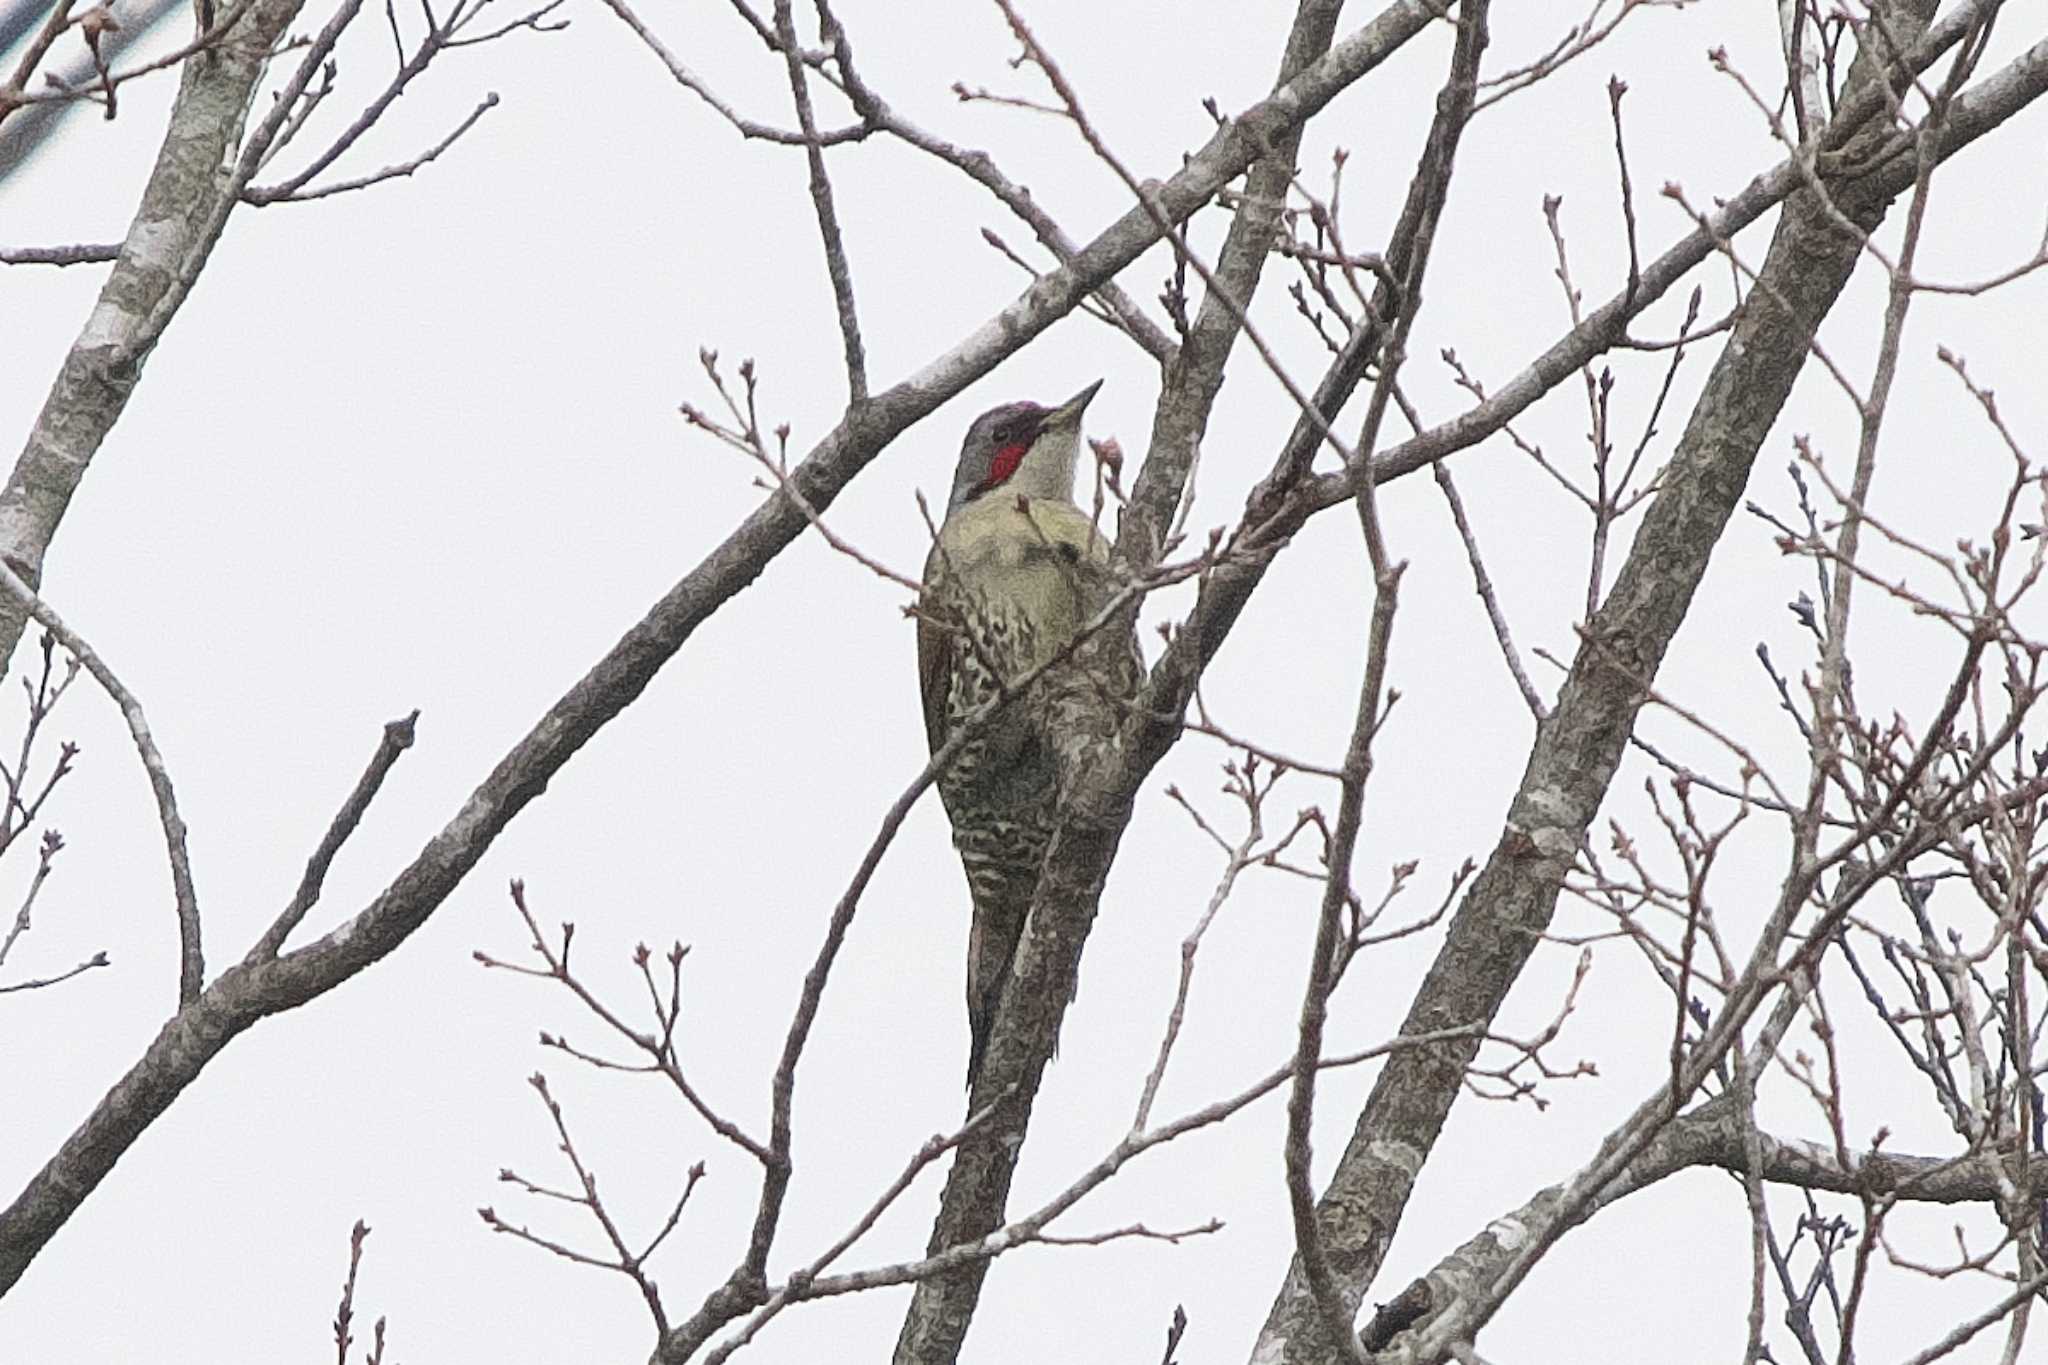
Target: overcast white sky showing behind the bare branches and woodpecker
{"points": [[419, 447]]}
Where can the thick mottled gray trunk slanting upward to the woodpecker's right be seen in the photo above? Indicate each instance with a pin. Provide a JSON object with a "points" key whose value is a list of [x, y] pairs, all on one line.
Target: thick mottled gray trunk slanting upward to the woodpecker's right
{"points": [[1578, 748]]}
